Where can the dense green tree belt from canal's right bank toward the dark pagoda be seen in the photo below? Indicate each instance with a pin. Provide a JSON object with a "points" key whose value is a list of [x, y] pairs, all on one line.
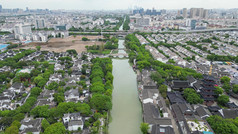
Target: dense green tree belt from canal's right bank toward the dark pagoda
{"points": [[145, 60]]}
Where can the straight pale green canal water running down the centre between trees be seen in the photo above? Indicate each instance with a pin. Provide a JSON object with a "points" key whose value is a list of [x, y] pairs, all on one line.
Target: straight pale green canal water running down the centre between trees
{"points": [[126, 111]]}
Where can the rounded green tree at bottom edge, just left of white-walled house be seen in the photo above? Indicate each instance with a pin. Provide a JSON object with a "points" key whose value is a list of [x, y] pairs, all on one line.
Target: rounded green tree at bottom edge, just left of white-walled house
{"points": [[57, 128]]}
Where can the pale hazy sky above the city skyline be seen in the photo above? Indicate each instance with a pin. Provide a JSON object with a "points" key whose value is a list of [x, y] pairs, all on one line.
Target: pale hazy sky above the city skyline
{"points": [[117, 4]]}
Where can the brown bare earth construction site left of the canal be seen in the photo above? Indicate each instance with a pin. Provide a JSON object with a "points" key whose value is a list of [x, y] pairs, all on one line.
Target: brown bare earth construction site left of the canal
{"points": [[64, 44]]}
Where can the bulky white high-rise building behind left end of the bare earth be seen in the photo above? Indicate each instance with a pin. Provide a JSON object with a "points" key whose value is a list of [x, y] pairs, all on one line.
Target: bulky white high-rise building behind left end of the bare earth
{"points": [[22, 29]]}
